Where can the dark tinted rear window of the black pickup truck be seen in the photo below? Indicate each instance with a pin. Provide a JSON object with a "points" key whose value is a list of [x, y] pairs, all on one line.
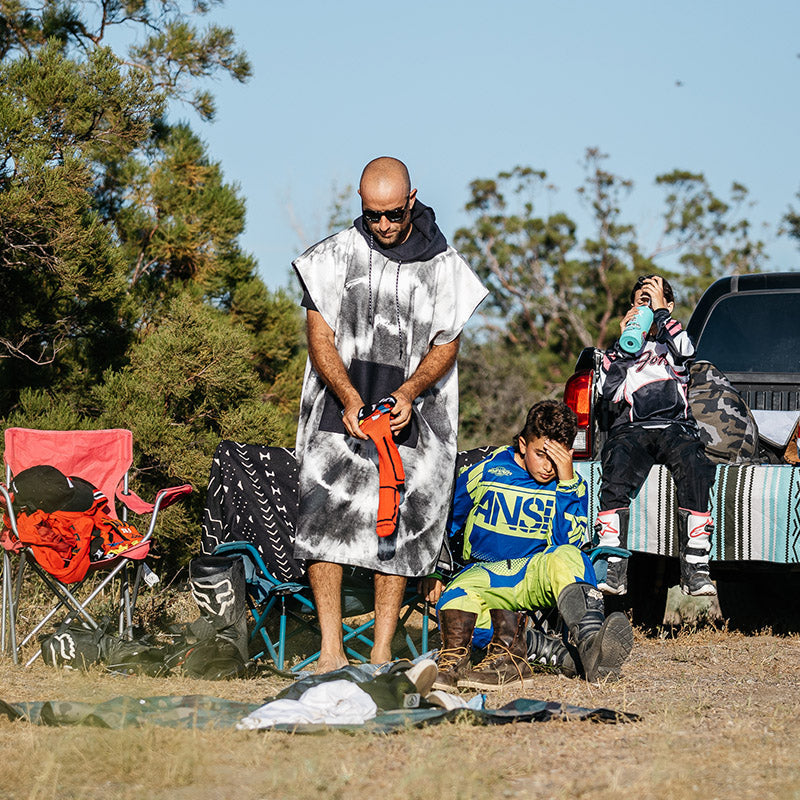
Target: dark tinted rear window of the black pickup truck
{"points": [[753, 332]]}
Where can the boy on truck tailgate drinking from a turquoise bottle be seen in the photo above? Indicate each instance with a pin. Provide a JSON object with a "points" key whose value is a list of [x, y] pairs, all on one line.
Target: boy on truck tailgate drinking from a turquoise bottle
{"points": [[655, 426]]}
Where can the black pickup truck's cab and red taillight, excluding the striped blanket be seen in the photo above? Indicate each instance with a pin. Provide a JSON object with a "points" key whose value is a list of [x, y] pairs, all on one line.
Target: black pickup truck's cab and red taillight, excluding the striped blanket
{"points": [[748, 326]]}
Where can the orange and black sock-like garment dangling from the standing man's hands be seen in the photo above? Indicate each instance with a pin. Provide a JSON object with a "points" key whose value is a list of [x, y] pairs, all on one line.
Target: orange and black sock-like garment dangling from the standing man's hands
{"points": [[391, 476]]}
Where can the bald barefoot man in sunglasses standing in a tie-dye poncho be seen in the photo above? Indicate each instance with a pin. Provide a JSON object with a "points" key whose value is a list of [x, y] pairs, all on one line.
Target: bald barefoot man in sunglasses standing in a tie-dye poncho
{"points": [[385, 300]]}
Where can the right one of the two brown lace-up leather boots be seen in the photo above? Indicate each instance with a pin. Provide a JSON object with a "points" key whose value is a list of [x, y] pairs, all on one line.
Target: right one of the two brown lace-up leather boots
{"points": [[506, 661]]}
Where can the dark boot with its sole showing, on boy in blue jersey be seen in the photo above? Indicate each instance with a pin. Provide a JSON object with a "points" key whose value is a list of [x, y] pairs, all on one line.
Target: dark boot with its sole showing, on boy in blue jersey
{"points": [[603, 643]]}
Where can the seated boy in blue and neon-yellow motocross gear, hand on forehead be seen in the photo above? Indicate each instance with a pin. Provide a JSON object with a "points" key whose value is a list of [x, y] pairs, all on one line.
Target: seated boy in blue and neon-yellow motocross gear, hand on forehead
{"points": [[523, 512]]}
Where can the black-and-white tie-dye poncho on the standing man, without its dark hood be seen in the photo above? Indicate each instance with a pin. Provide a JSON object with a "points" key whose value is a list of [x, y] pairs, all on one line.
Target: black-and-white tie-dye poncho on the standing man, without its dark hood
{"points": [[385, 315]]}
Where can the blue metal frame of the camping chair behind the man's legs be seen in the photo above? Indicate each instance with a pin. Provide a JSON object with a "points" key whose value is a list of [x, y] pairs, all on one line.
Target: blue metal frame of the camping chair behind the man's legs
{"points": [[293, 602]]}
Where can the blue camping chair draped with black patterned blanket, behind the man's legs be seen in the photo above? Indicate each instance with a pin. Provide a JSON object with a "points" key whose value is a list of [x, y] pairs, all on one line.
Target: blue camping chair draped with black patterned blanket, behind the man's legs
{"points": [[251, 511]]}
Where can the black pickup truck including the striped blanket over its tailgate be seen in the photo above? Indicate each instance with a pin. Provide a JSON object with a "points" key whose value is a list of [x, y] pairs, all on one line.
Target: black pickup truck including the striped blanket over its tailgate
{"points": [[748, 326]]}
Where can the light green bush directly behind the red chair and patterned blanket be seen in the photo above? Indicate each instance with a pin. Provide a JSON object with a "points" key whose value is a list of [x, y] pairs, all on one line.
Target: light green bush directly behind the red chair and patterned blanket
{"points": [[190, 383]]}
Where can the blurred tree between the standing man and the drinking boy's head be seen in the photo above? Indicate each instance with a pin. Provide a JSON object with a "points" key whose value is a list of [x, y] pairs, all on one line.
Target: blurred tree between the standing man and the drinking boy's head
{"points": [[550, 293]]}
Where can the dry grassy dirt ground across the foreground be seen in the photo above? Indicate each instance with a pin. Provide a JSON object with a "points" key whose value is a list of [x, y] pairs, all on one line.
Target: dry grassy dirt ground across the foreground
{"points": [[719, 716]]}
